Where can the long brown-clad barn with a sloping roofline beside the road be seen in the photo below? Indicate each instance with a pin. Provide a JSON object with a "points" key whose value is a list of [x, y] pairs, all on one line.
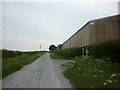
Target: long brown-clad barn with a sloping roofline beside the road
{"points": [[95, 31]]}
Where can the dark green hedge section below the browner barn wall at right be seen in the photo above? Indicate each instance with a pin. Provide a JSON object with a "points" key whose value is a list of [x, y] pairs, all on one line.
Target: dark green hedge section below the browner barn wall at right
{"points": [[109, 49]]}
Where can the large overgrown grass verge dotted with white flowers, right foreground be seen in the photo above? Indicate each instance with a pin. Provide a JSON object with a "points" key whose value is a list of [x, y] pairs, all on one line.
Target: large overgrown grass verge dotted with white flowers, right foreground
{"points": [[93, 73]]}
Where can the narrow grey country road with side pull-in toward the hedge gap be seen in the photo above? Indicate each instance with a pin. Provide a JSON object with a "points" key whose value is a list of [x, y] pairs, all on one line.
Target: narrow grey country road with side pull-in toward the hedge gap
{"points": [[42, 73]]}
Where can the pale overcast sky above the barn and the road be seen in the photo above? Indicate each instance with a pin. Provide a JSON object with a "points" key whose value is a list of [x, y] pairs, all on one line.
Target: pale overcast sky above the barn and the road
{"points": [[26, 25]]}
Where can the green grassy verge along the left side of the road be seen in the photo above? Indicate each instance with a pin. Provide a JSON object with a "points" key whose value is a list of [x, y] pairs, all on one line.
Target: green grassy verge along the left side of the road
{"points": [[11, 64]]}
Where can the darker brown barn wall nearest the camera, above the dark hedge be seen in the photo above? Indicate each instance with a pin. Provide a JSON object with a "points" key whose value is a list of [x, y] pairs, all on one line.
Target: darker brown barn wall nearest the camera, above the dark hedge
{"points": [[105, 29]]}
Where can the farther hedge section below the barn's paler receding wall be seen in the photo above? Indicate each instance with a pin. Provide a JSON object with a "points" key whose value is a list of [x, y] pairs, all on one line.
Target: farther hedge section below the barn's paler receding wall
{"points": [[70, 52]]}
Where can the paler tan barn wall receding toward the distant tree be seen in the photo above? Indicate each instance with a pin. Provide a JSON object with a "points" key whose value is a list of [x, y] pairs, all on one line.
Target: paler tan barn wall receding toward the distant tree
{"points": [[79, 39]]}
